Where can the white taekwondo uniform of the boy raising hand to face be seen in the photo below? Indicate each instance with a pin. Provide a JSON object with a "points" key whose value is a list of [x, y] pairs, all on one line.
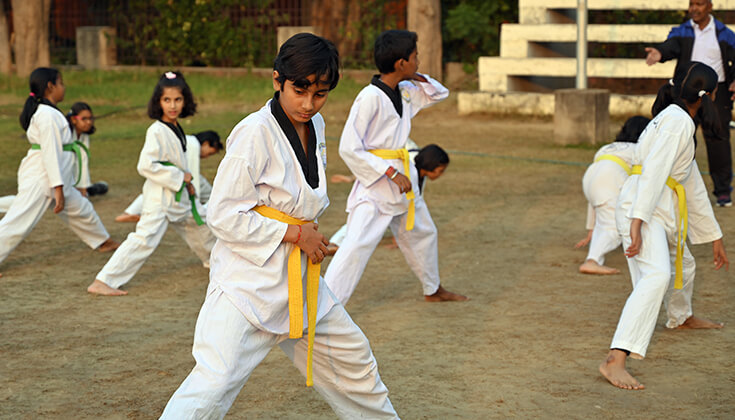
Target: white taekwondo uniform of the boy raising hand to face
{"points": [[380, 118]]}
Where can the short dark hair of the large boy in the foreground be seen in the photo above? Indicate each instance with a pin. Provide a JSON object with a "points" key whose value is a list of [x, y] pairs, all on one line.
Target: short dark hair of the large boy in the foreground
{"points": [[305, 54]]}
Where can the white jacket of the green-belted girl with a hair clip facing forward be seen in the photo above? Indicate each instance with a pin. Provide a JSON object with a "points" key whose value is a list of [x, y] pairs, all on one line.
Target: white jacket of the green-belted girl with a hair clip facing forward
{"points": [[162, 182]]}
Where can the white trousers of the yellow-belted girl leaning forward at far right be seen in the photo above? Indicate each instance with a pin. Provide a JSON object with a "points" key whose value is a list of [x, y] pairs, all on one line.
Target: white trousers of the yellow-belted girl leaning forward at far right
{"points": [[652, 273]]}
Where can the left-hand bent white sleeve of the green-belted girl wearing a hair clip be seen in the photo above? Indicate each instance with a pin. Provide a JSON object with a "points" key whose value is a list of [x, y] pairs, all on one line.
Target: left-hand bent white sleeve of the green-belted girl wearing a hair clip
{"points": [[149, 165]]}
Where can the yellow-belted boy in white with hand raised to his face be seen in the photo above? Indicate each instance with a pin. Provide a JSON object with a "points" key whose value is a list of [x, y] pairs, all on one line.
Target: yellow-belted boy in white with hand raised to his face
{"points": [[383, 194]]}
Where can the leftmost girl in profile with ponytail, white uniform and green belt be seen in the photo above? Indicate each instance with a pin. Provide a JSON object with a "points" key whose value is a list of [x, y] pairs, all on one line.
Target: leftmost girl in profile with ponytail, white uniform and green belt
{"points": [[47, 174]]}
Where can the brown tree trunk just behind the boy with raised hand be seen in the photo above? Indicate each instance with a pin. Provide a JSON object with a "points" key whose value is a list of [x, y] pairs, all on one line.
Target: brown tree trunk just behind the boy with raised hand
{"points": [[424, 18]]}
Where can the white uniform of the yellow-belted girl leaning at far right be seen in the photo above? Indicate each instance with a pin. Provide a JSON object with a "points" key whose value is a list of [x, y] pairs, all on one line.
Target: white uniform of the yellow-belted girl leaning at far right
{"points": [[665, 149]]}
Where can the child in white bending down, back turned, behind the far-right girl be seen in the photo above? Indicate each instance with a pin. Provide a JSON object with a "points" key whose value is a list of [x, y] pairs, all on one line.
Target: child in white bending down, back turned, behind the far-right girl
{"points": [[601, 185]]}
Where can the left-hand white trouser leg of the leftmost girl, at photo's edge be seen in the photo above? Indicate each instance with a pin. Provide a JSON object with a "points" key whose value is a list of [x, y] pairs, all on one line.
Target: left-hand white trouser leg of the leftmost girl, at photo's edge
{"points": [[22, 216]]}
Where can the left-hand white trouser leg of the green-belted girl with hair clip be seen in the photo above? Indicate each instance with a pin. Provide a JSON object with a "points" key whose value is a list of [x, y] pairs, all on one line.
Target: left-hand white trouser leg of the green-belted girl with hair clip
{"points": [[134, 251]]}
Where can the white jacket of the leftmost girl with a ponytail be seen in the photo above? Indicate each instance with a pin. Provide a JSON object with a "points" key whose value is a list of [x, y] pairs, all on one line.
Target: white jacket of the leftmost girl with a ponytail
{"points": [[50, 165]]}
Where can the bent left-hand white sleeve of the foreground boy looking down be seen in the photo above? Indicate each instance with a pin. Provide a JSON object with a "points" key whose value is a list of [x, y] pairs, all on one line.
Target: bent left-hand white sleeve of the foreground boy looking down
{"points": [[230, 212]]}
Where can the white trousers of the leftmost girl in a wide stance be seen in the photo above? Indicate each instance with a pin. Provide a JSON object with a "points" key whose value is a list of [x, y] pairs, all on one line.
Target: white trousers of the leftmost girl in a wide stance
{"points": [[28, 207]]}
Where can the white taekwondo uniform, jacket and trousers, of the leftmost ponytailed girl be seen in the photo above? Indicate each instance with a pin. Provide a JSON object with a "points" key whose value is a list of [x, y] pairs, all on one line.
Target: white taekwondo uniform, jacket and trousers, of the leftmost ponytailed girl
{"points": [[47, 165]]}
